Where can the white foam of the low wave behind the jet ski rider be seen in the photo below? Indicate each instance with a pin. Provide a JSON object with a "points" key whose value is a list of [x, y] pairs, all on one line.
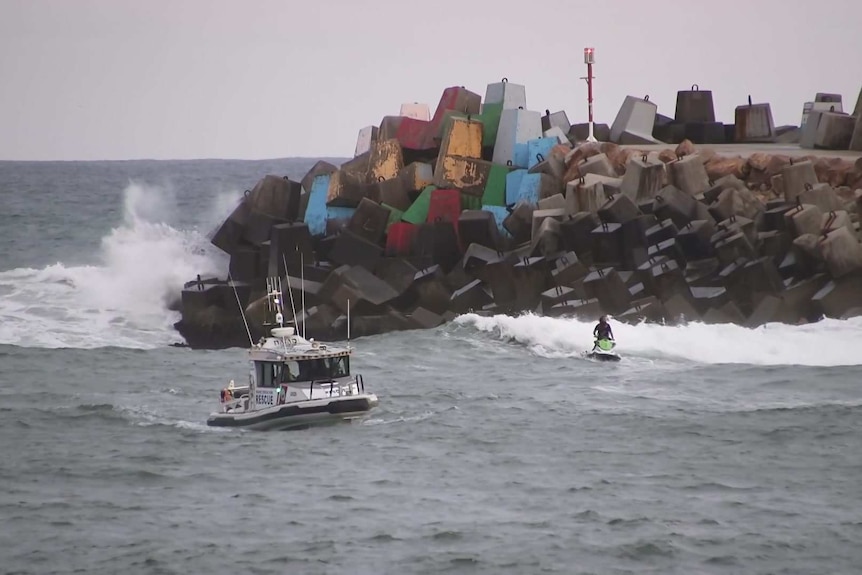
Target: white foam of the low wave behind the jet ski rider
{"points": [[825, 343]]}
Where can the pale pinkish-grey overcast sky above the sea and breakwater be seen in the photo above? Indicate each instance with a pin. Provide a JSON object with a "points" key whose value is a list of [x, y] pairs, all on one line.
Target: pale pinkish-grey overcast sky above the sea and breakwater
{"points": [[256, 79]]}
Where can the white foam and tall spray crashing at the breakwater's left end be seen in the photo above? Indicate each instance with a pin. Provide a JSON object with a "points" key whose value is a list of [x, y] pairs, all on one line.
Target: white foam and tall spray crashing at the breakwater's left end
{"points": [[121, 299]]}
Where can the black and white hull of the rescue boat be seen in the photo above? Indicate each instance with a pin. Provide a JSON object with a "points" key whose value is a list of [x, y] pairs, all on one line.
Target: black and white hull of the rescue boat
{"points": [[299, 414]]}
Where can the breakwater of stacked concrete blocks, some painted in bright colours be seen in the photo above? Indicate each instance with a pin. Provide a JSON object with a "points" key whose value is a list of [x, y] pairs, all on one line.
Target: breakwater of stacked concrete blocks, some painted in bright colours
{"points": [[488, 206]]}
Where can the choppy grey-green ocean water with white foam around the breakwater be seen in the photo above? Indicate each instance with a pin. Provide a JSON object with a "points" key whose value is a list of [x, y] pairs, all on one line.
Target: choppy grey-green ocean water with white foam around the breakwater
{"points": [[496, 448]]}
